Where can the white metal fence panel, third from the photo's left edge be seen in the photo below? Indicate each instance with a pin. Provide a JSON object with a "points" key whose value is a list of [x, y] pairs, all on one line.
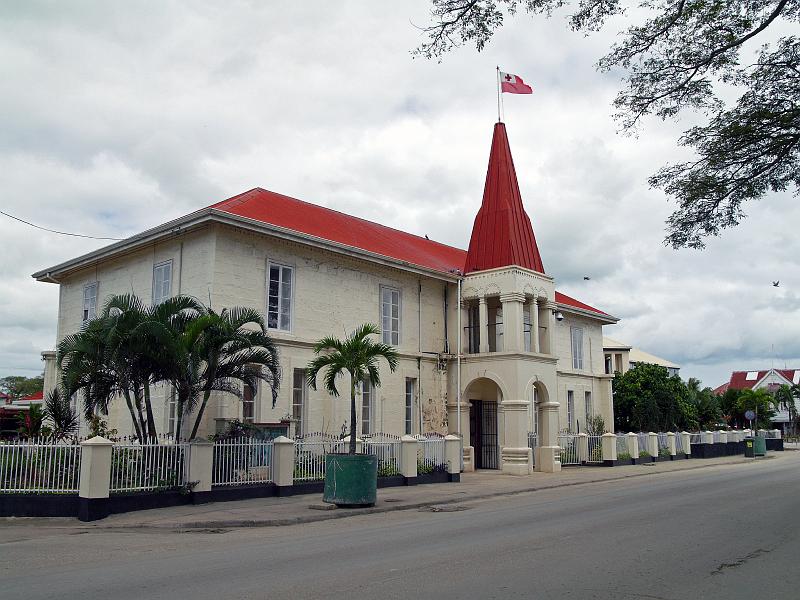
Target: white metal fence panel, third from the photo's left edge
{"points": [[240, 461]]}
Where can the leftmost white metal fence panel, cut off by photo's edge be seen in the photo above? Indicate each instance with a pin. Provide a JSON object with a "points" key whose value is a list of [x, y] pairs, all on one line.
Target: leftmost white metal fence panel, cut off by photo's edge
{"points": [[31, 467]]}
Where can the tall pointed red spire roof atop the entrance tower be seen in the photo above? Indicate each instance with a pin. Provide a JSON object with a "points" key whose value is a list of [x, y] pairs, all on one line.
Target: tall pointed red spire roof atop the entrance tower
{"points": [[502, 234]]}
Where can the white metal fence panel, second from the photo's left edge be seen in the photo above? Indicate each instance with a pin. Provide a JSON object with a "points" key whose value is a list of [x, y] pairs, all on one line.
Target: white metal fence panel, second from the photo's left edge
{"points": [[147, 467]]}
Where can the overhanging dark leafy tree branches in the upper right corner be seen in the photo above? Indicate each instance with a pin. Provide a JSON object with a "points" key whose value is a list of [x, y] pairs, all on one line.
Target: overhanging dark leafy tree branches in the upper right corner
{"points": [[680, 54]]}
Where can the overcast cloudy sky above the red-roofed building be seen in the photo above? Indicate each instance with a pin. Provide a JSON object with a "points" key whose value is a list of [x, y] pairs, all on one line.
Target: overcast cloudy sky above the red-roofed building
{"points": [[118, 116]]}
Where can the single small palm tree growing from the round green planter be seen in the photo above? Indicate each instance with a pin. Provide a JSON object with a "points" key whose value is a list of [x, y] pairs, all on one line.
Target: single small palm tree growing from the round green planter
{"points": [[358, 356]]}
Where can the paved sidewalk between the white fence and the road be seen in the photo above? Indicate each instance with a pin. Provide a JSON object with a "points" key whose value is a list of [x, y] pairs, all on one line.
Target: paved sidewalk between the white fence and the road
{"points": [[271, 512]]}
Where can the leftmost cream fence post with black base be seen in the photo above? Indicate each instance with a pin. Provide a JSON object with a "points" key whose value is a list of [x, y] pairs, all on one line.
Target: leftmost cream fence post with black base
{"points": [[94, 487]]}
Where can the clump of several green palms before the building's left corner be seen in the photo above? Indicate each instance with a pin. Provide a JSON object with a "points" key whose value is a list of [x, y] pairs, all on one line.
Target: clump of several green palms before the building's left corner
{"points": [[131, 346]]}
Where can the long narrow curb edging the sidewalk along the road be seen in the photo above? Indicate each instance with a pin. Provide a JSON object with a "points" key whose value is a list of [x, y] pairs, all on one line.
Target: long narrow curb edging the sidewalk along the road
{"points": [[345, 513]]}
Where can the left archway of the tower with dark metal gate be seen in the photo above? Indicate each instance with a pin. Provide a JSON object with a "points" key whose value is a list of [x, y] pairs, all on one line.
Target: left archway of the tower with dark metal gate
{"points": [[484, 397]]}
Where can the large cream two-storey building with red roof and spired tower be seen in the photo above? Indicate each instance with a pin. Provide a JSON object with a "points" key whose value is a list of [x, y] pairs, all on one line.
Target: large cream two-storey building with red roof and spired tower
{"points": [[484, 326]]}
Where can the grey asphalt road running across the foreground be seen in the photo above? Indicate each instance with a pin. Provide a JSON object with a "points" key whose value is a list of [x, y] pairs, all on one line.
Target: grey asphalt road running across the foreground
{"points": [[724, 532]]}
